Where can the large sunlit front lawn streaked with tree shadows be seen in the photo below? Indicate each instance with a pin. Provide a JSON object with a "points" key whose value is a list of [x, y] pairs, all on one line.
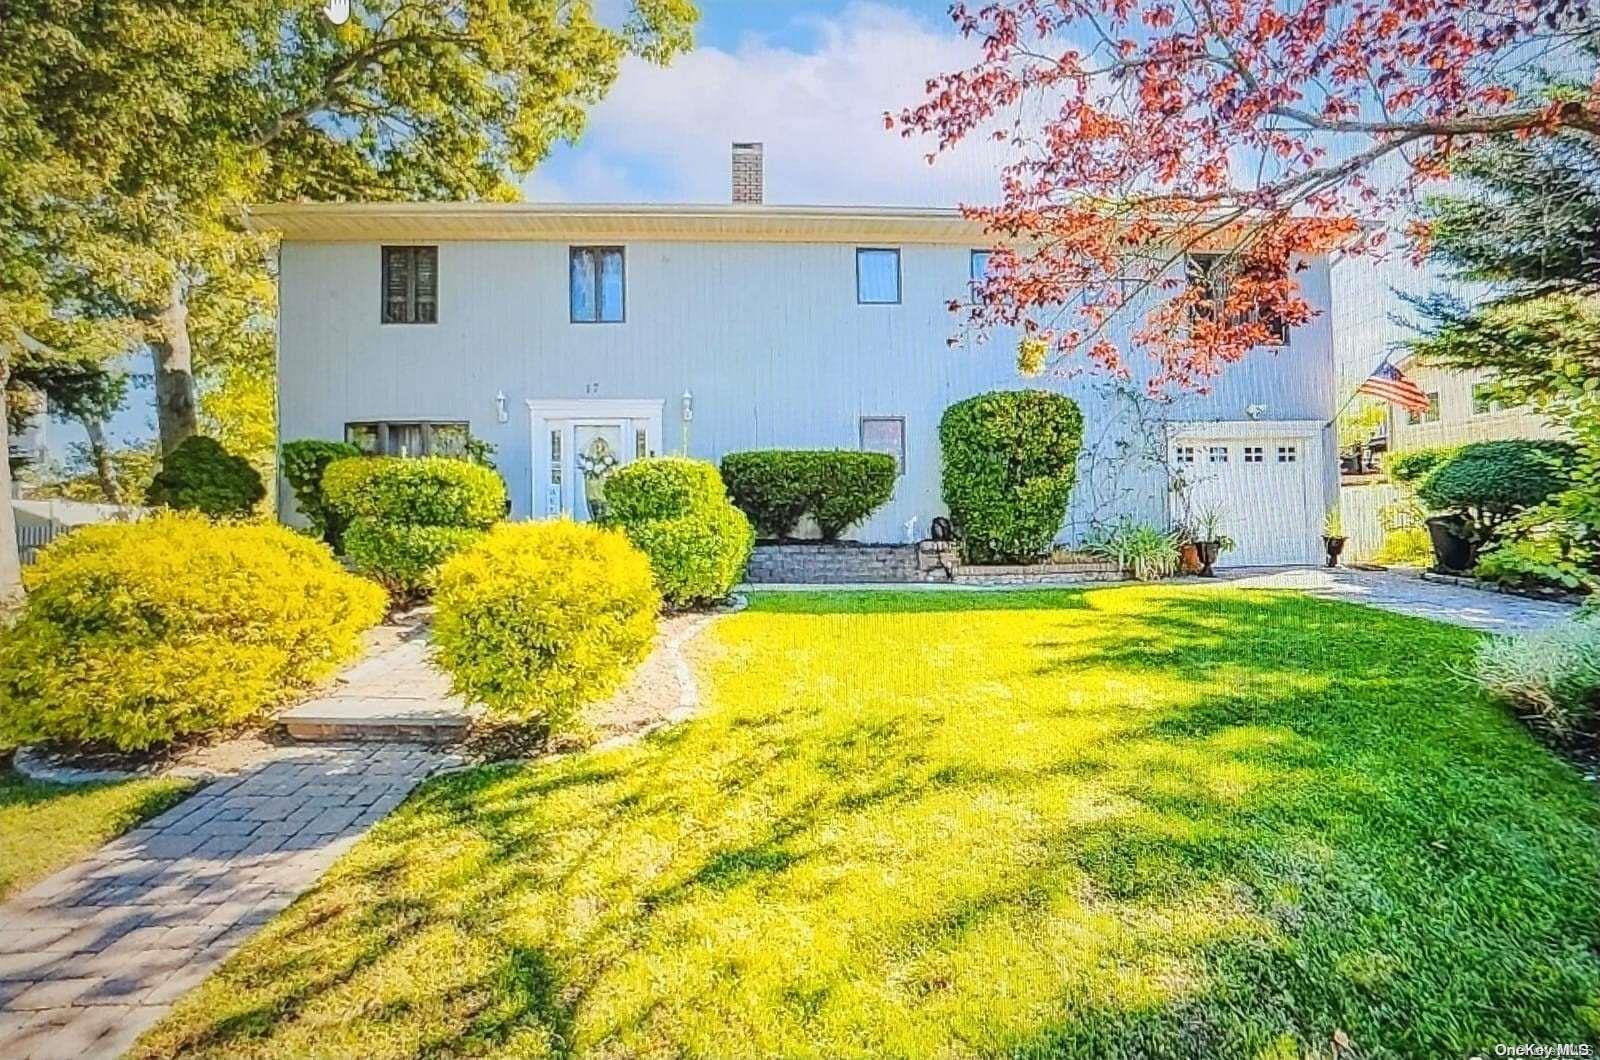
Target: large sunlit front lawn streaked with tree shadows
{"points": [[1124, 822]]}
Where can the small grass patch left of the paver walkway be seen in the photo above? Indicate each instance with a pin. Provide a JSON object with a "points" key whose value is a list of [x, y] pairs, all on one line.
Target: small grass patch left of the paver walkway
{"points": [[47, 827]]}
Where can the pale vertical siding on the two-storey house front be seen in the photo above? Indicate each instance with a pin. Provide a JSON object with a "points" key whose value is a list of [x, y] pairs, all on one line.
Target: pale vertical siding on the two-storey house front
{"points": [[767, 337]]}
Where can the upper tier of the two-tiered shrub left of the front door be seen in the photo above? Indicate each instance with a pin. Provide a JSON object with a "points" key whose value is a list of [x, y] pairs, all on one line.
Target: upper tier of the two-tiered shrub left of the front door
{"points": [[422, 492]]}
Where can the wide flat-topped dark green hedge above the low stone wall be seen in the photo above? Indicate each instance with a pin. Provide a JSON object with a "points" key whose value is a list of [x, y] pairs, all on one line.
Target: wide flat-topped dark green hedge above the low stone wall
{"points": [[777, 488]]}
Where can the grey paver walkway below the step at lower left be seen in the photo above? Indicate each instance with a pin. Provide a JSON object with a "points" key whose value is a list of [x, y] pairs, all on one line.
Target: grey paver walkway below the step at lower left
{"points": [[97, 954]]}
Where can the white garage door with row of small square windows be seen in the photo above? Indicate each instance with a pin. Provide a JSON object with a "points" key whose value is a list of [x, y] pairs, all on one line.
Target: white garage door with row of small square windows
{"points": [[1266, 488]]}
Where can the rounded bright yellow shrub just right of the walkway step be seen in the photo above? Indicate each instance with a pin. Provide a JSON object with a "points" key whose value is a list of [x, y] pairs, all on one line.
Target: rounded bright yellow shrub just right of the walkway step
{"points": [[542, 617]]}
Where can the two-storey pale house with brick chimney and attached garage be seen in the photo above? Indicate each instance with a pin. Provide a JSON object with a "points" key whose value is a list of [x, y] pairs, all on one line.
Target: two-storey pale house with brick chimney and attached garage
{"points": [[575, 337]]}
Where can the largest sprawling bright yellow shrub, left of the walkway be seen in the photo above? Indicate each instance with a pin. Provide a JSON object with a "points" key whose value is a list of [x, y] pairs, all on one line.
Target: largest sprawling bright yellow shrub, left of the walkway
{"points": [[137, 635]]}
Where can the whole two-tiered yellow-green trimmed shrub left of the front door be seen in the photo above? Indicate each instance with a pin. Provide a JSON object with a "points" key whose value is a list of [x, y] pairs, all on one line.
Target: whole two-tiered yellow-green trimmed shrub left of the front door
{"points": [[409, 516]]}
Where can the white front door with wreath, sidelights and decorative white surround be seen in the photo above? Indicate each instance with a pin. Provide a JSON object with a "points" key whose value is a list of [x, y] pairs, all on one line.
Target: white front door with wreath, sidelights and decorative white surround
{"points": [[580, 444]]}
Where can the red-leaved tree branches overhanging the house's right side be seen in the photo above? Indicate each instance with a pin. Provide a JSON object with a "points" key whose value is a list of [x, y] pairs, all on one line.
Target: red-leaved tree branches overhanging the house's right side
{"points": [[1169, 163]]}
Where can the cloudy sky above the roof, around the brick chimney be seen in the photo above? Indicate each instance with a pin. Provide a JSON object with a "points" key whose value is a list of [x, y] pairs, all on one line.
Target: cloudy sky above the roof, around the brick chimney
{"points": [[665, 134]]}
